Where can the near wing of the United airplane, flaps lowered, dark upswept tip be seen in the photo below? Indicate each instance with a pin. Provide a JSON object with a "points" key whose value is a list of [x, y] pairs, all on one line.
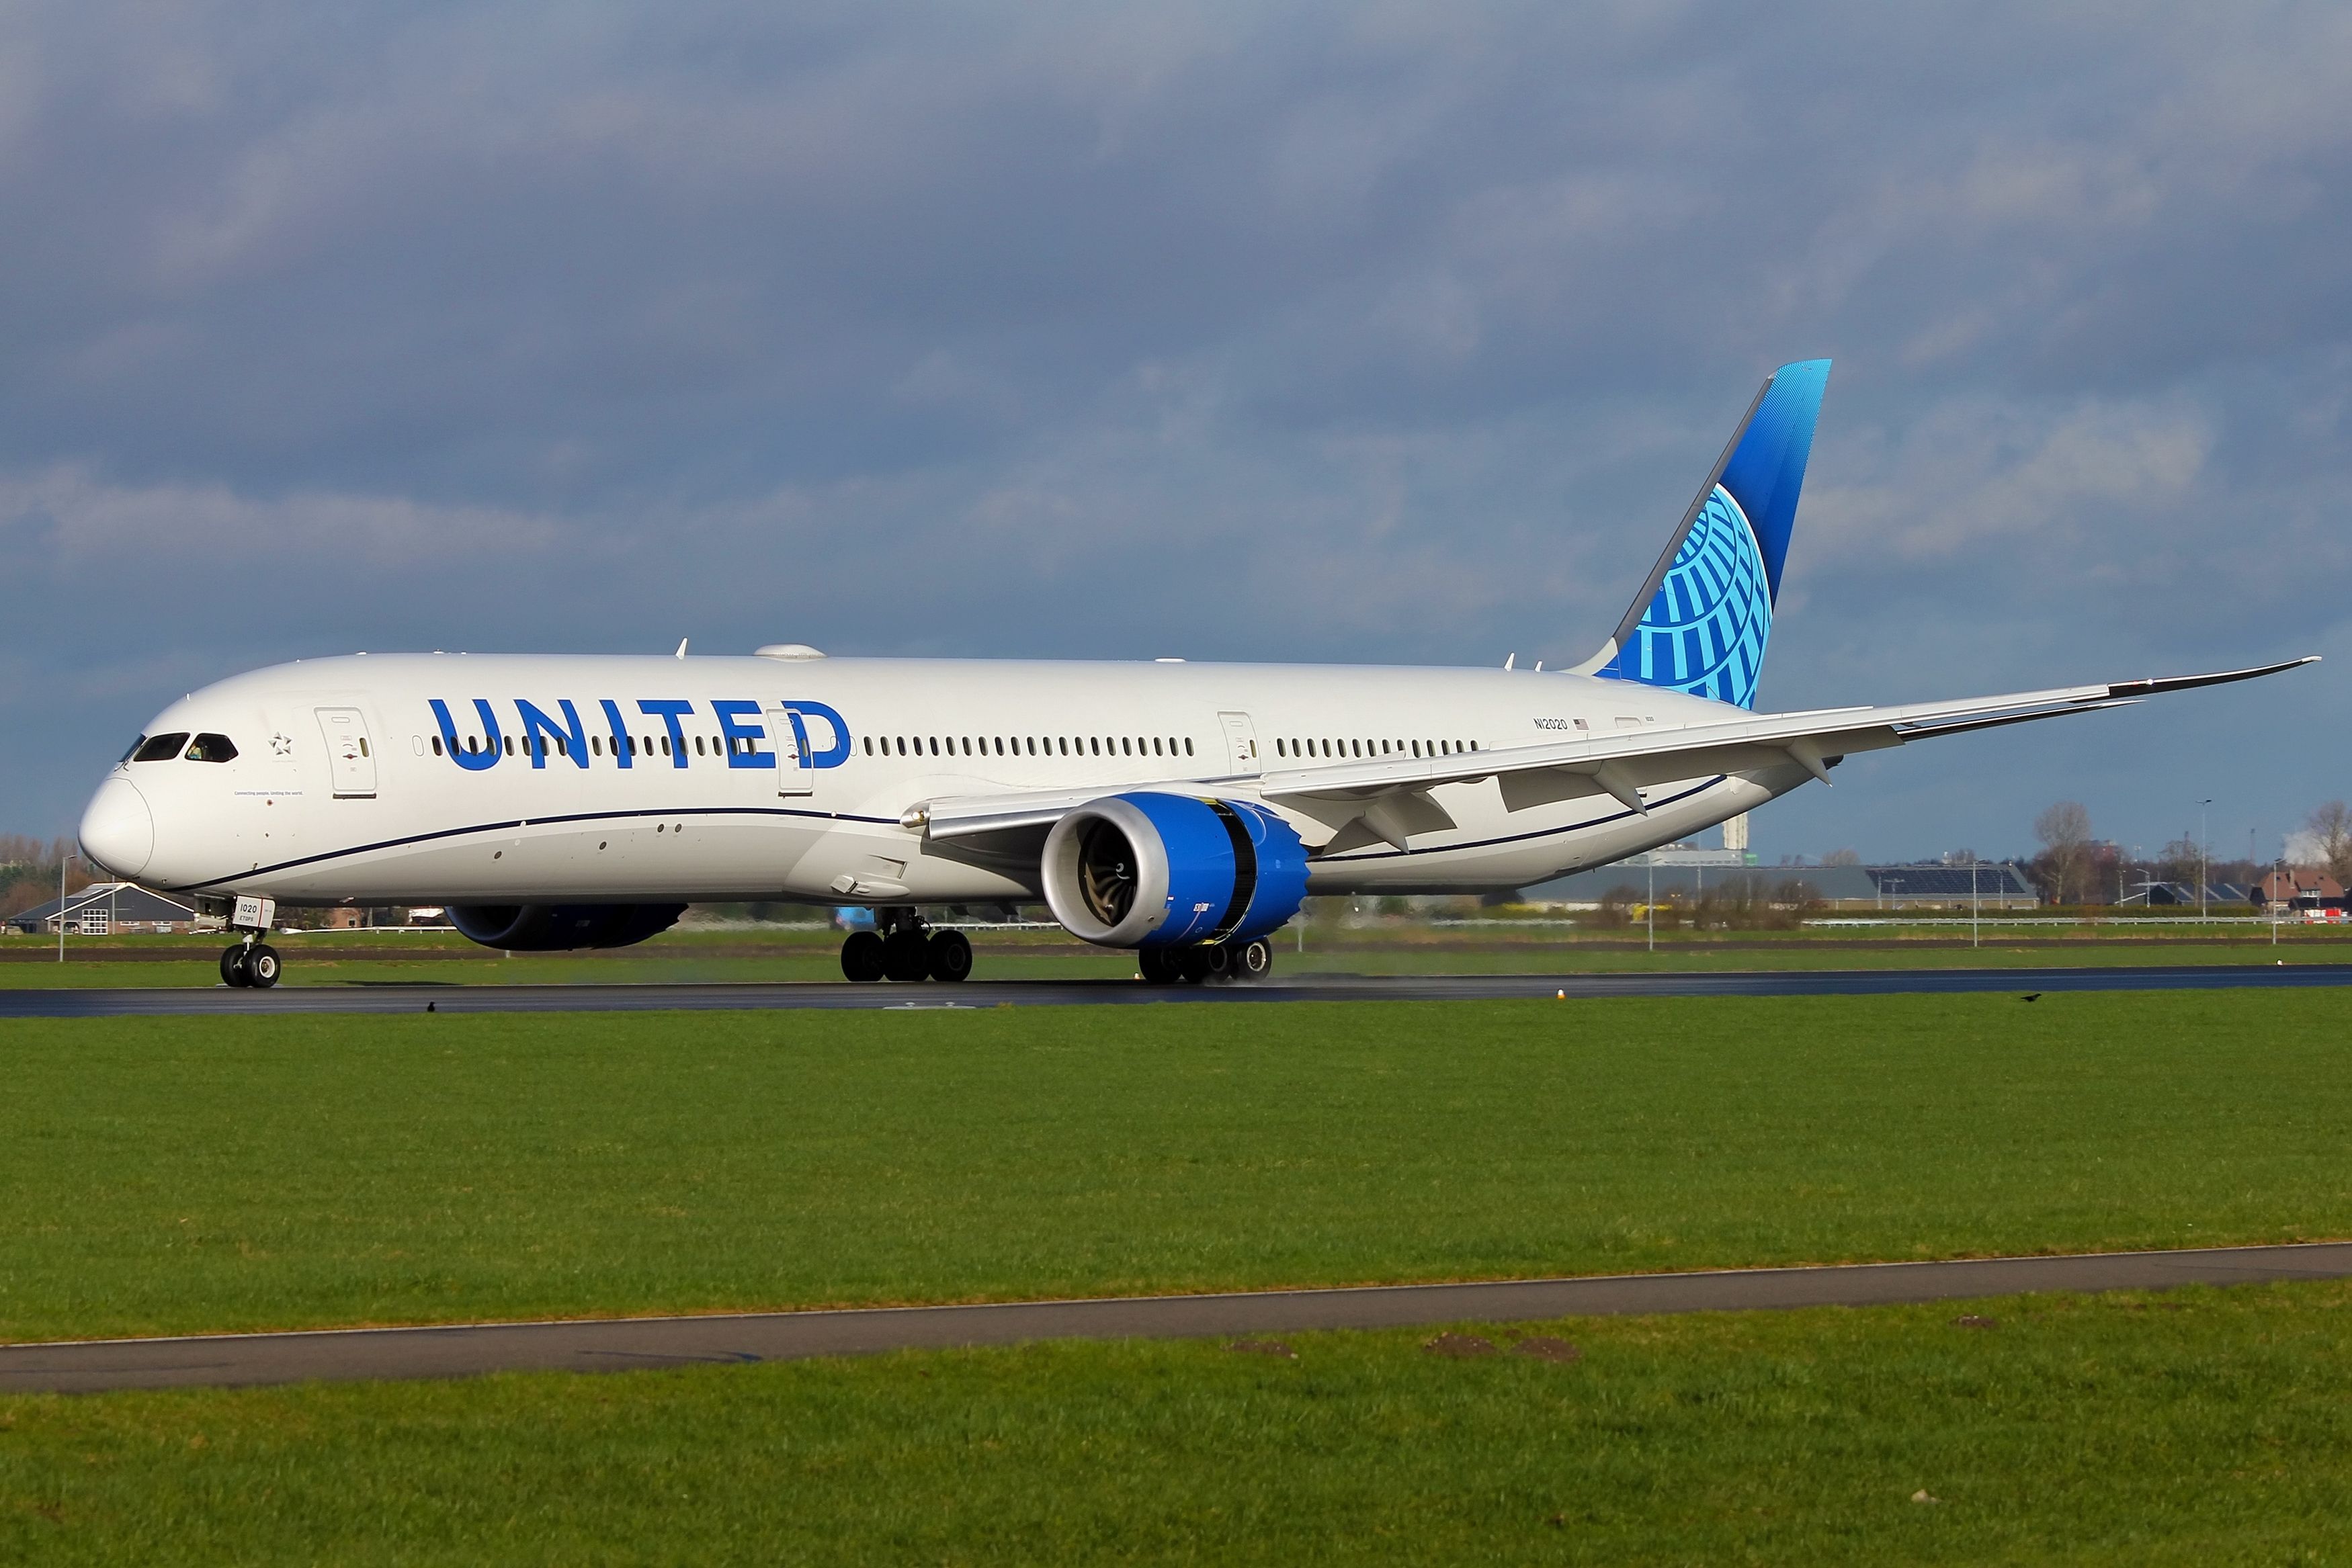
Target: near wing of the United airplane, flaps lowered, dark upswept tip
{"points": [[1391, 798]]}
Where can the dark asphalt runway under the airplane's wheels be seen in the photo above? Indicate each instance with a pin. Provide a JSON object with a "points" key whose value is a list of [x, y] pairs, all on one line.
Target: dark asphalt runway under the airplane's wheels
{"points": [[410, 998]]}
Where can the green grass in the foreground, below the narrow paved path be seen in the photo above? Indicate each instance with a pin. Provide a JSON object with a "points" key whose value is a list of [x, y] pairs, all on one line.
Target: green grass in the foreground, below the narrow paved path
{"points": [[2203, 1428]]}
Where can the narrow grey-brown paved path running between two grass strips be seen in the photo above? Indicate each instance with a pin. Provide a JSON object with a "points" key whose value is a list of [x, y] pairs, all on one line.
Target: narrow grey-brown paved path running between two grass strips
{"points": [[610, 1346]]}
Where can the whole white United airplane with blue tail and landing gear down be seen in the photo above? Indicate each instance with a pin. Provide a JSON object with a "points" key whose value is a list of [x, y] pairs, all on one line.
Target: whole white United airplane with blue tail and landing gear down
{"points": [[1168, 808]]}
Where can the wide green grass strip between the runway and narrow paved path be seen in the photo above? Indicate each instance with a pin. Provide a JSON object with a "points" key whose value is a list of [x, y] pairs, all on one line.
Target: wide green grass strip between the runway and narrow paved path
{"points": [[286, 1172]]}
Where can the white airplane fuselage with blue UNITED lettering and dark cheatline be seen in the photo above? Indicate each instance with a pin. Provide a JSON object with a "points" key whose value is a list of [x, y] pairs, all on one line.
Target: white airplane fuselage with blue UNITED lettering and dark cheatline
{"points": [[794, 779]]}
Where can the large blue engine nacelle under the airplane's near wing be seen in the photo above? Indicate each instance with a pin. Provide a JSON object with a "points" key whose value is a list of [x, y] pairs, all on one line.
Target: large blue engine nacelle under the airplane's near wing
{"points": [[1172, 871]]}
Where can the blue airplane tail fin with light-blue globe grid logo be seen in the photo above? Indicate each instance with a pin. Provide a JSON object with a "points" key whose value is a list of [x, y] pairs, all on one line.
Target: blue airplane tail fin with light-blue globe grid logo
{"points": [[1704, 615]]}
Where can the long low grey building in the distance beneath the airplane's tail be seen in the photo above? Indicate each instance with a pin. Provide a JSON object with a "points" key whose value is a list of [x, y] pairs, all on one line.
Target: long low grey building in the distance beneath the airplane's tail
{"points": [[1838, 887]]}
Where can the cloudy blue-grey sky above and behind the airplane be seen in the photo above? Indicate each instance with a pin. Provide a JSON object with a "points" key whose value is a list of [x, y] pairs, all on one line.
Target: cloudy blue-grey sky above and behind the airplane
{"points": [[1356, 333]]}
